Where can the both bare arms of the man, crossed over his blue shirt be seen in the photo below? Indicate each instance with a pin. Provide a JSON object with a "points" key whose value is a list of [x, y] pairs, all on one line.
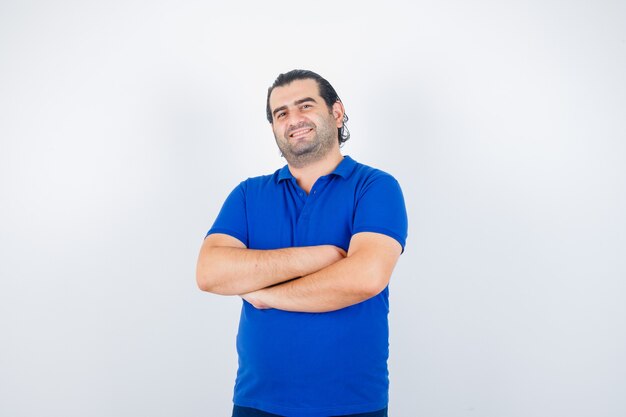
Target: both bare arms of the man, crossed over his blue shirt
{"points": [[311, 279]]}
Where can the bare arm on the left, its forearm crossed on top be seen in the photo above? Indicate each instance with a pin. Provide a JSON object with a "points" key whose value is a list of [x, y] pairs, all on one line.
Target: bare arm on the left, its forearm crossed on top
{"points": [[233, 270]]}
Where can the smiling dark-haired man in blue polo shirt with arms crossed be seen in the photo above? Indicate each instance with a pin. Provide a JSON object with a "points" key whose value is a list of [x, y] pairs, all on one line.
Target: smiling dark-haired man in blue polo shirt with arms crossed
{"points": [[310, 249]]}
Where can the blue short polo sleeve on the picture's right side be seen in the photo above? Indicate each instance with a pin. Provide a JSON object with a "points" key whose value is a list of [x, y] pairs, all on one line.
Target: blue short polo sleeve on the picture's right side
{"points": [[380, 208]]}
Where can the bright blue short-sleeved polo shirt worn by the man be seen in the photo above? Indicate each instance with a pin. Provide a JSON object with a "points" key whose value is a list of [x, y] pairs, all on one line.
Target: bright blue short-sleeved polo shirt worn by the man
{"points": [[314, 364]]}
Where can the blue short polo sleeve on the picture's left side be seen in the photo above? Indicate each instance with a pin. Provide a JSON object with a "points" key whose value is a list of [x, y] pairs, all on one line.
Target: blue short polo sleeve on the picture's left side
{"points": [[232, 219]]}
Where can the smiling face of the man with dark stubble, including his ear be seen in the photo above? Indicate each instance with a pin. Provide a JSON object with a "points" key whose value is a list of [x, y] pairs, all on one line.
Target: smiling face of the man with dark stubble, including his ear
{"points": [[304, 128]]}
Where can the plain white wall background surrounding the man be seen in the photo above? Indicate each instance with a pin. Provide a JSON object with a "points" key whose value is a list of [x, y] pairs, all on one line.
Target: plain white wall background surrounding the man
{"points": [[124, 125]]}
